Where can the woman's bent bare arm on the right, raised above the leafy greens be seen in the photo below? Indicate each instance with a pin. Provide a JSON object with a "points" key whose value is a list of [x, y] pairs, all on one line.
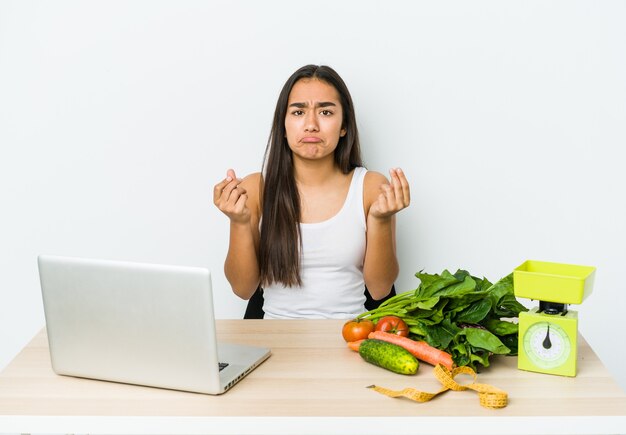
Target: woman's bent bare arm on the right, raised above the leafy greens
{"points": [[382, 201]]}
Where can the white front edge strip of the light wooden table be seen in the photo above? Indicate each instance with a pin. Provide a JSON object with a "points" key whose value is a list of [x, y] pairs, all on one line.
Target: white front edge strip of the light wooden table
{"points": [[312, 425]]}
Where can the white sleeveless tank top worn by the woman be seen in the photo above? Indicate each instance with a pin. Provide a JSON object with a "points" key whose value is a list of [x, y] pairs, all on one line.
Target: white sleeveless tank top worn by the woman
{"points": [[331, 266]]}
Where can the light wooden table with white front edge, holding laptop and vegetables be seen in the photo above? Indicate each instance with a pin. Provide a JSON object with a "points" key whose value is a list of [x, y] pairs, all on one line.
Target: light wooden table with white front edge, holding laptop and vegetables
{"points": [[312, 383]]}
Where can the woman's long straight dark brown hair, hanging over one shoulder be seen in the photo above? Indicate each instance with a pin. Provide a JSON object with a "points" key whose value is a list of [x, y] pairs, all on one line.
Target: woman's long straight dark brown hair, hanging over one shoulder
{"points": [[280, 244]]}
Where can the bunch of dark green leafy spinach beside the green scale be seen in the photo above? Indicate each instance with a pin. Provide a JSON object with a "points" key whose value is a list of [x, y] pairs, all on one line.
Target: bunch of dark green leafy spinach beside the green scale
{"points": [[459, 314]]}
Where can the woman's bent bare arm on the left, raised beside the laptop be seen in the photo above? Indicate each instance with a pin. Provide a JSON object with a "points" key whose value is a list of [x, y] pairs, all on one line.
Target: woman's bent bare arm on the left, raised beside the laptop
{"points": [[239, 200]]}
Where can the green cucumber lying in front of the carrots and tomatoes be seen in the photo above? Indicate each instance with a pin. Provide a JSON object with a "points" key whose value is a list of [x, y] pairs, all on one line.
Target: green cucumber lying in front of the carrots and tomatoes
{"points": [[388, 356]]}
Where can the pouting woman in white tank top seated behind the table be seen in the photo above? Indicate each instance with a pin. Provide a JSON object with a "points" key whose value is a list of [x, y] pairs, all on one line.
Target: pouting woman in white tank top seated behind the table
{"points": [[315, 227]]}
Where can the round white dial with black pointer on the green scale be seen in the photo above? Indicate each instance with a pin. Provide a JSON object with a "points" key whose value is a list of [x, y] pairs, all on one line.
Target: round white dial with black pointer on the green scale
{"points": [[547, 345]]}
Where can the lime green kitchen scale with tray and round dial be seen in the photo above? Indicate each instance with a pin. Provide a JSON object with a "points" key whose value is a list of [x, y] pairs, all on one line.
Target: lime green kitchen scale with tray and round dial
{"points": [[548, 334]]}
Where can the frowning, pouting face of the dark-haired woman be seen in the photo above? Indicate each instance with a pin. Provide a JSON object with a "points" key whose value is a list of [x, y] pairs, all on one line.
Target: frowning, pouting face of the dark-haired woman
{"points": [[313, 123]]}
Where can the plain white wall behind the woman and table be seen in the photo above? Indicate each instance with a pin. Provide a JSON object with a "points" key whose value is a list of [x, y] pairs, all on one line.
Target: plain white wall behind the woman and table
{"points": [[117, 118]]}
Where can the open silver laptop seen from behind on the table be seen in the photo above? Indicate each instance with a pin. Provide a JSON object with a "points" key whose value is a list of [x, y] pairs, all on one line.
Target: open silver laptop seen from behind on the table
{"points": [[137, 323]]}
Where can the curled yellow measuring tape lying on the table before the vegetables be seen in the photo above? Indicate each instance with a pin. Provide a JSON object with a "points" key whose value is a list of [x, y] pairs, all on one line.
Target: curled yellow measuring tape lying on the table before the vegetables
{"points": [[489, 397]]}
